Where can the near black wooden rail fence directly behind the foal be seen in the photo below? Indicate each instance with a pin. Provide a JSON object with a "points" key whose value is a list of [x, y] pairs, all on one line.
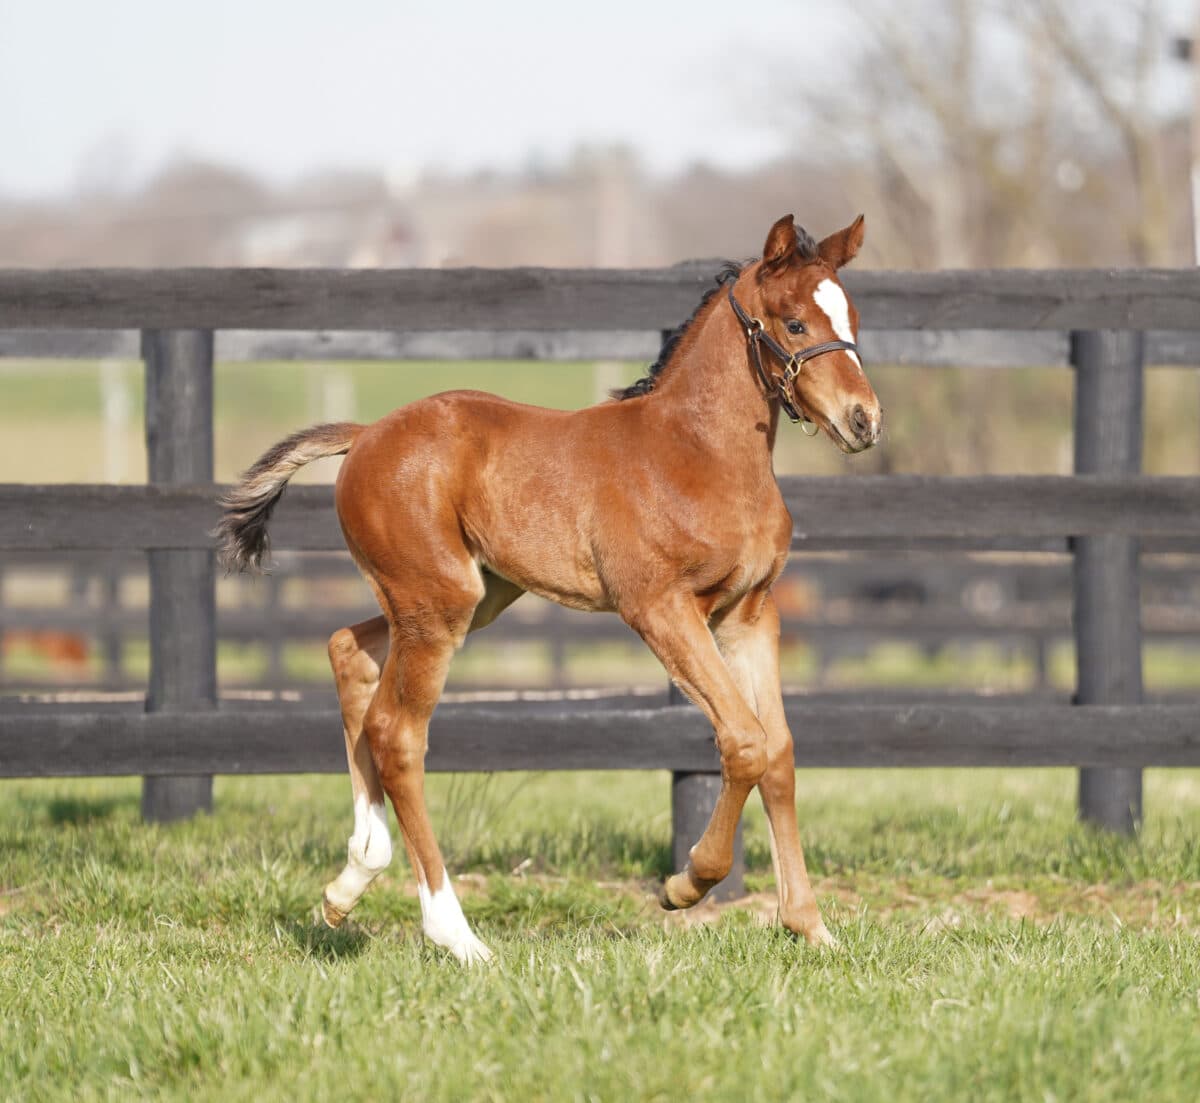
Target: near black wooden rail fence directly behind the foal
{"points": [[1107, 326]]}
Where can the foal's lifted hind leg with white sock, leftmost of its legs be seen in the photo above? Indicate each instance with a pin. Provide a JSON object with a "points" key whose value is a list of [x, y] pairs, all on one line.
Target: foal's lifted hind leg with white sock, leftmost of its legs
{"points": [[357, 655]]}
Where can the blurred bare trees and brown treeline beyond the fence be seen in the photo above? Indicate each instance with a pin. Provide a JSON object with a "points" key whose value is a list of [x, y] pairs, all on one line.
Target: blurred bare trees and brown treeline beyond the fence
{"points": [[973, 134]]}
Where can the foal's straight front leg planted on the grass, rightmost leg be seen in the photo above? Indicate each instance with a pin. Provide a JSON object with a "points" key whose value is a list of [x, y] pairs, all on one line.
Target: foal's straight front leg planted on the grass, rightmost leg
{"points": [[749, 642]]}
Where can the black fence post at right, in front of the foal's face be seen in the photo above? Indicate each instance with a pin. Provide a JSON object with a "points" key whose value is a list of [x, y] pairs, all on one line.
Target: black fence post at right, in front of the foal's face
{"points": [[1108, 609]]}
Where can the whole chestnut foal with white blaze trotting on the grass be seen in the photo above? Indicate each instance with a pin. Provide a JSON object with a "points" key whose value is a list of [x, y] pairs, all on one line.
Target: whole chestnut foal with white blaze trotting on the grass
{"points": [[661, 507]]}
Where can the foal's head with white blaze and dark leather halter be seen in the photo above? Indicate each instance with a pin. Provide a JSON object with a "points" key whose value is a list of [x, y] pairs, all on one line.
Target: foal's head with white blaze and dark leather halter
{"points": [[795, 292]]}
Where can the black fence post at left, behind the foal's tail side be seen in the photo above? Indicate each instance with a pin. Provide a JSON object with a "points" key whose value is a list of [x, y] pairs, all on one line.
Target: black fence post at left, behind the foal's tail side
{"points": [[183, 600]]}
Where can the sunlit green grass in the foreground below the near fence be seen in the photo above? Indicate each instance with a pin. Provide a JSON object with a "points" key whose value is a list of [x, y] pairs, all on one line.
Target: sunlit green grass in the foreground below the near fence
{"points": [[991, 949]]}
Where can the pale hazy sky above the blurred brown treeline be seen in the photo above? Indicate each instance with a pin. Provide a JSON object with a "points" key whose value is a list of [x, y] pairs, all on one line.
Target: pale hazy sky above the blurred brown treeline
{"points": [[107, 93]]}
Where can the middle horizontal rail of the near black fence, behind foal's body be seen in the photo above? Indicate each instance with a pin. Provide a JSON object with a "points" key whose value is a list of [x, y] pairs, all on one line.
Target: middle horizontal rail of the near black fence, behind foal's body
{"points": [[877, 511]]}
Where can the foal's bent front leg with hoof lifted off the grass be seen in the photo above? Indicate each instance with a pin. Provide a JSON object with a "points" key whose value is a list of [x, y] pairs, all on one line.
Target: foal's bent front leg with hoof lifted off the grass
{"points": [[677, 634]]}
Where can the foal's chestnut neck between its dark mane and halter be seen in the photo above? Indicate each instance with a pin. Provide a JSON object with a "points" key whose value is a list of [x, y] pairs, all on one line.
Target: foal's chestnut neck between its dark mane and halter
{"points": [[709, 392]]}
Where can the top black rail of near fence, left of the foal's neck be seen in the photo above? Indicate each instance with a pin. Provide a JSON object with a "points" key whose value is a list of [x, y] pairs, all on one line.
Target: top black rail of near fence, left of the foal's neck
{"points": [[406, 299]]}
